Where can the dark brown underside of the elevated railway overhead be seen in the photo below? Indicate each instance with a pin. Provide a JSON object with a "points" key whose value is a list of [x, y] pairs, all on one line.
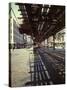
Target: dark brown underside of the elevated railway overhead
{"points": [[41, 21]]}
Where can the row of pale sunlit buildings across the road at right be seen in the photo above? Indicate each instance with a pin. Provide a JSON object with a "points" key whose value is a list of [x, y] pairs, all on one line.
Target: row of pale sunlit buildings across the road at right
{"points": [[59, 40]]}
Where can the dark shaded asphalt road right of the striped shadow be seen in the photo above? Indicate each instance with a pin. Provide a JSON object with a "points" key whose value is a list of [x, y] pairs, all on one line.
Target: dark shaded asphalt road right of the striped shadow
{"points": [[55, 66]]}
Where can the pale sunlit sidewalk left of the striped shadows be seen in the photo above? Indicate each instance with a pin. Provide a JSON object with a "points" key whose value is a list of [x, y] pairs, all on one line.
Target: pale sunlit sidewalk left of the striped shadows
{"points": [[20, 66]]}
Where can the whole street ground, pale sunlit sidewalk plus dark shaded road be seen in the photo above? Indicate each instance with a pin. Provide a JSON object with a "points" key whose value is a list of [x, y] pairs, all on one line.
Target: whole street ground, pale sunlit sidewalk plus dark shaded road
{"points": [[36, 67]]}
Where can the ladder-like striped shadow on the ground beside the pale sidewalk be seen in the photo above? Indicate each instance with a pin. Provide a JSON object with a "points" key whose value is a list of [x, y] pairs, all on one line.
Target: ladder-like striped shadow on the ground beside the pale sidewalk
{"points": [[38, 72]]}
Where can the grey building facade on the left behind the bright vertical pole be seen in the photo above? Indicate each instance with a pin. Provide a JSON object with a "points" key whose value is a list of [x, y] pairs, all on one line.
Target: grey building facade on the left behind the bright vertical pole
{"points": [[16, 39]]}
